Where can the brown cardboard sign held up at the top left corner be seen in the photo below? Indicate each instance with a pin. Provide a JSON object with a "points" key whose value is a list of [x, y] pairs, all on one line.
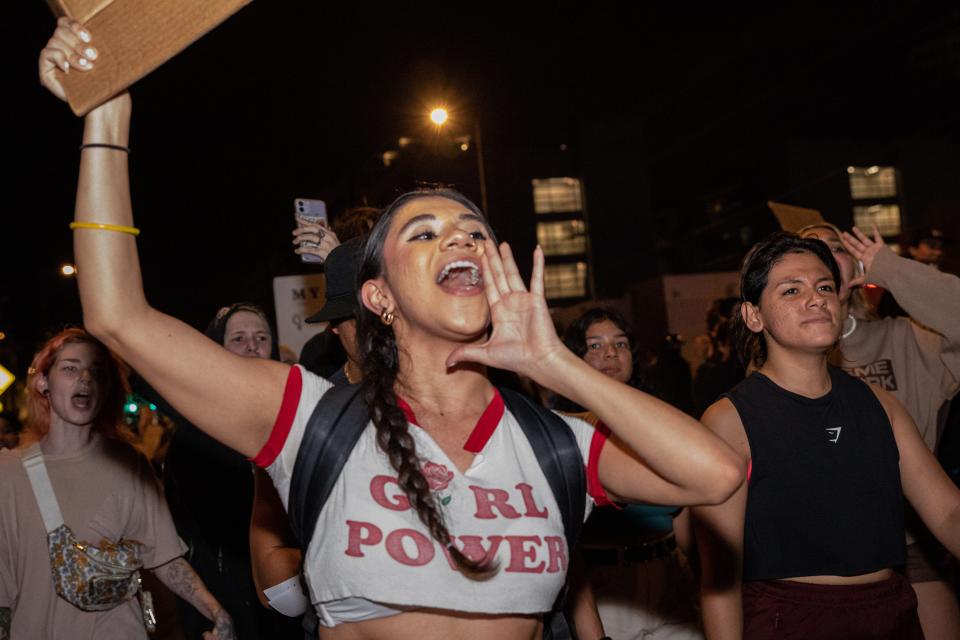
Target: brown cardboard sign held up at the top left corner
{"points": [[134, 37]]}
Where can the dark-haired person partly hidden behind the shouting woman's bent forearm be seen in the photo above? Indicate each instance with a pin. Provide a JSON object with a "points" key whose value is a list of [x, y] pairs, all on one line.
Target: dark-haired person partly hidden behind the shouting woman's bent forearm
{"points": [[634, 564]]}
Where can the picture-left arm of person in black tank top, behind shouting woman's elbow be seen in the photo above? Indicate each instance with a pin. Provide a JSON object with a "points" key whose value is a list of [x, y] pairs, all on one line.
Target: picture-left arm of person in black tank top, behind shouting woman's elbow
{"points": [[719, 533]]}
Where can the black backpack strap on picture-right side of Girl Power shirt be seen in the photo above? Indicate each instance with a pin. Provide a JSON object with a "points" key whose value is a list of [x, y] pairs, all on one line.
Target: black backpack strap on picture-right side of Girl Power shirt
{"points": [[559, 456]]}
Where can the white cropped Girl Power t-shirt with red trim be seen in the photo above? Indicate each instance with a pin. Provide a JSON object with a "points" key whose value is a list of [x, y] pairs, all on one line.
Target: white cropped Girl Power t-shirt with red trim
{"points": [[370, 544]]}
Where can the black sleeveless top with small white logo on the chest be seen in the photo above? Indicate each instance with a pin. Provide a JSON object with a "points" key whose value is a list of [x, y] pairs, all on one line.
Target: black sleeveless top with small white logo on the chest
{"points": [[824, 495]]}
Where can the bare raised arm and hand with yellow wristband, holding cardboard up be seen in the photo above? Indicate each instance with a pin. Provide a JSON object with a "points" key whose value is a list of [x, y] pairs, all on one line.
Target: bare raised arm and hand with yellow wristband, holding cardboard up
{"points": [[233, 399]]}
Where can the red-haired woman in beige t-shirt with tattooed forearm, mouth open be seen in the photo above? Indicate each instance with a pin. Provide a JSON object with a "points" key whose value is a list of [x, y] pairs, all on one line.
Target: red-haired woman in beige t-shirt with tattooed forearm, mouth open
{"points": [[105, 491]]}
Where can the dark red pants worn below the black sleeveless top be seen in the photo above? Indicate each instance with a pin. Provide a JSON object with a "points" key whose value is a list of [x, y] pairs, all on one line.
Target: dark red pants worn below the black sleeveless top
{"points": [[782, 610]]}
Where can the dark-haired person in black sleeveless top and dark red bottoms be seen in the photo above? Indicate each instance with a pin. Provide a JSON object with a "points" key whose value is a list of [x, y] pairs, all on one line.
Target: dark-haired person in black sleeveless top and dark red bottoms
{"points": [[808, 547]]}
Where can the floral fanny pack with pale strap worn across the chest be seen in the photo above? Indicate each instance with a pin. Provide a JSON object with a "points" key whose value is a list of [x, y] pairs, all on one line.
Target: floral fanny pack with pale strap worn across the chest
{"points": [[90, 577]]}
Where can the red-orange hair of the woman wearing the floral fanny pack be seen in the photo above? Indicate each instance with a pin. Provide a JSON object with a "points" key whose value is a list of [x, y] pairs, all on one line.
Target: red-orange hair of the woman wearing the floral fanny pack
{"points": [[114, 388]]}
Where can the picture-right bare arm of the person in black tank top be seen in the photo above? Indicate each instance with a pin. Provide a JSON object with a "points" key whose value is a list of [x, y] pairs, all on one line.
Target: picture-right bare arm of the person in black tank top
{"points": [[930, 491]]}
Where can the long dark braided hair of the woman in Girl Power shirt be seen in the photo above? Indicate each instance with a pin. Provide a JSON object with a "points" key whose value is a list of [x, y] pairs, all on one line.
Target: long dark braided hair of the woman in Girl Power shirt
{"points": [[380, 363]]}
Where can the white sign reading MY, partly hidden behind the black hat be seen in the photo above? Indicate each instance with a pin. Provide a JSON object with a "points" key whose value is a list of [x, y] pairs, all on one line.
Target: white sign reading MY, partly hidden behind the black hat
{"points": [[296, 298]]}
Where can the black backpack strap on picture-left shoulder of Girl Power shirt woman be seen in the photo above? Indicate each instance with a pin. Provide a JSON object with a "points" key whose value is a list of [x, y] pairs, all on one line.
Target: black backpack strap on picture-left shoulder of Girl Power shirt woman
{"points": [[330, 435]]}
